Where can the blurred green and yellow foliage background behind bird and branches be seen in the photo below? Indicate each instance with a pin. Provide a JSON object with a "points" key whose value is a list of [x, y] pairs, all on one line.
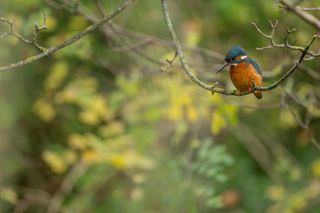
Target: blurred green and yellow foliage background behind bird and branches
{"points": [[107, 125]]}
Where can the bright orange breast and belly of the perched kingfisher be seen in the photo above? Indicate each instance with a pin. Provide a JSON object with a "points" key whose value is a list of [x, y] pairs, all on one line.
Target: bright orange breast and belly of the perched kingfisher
{"points": [[242, 76]]}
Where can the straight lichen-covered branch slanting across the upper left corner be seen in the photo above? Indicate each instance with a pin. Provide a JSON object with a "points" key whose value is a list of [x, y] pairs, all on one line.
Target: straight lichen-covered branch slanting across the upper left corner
{"points": [[73, 39]]}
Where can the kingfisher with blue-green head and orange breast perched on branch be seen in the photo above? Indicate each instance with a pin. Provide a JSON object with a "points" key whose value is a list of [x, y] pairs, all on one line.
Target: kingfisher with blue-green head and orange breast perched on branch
{"points": [[244, 71]]}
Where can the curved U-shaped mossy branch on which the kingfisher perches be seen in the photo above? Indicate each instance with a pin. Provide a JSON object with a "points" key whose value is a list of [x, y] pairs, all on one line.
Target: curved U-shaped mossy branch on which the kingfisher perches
{"points": [[215, 89]]}
